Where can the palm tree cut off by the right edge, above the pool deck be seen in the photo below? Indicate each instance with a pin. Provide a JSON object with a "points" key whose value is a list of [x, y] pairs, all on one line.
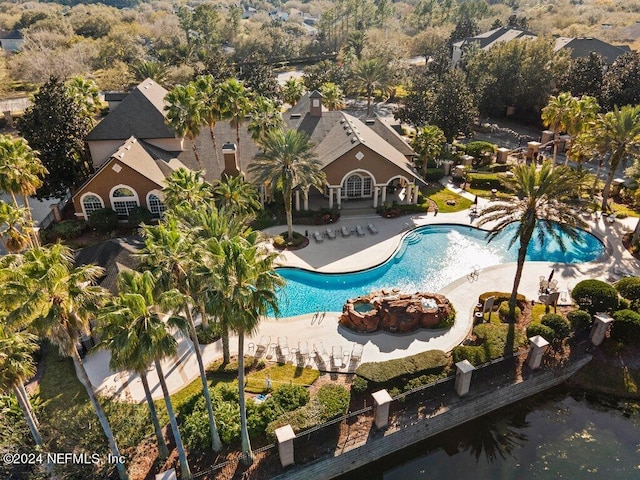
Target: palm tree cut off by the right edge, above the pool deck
{"points": [[614, 135]]}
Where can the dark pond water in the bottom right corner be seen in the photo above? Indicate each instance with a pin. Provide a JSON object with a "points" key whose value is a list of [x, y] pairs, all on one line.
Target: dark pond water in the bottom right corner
{"points": [[555, 435]]}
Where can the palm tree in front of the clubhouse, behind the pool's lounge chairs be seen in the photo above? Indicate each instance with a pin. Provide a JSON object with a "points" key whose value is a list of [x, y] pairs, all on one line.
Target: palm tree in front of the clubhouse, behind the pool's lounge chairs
{"points": [[288, 160]]}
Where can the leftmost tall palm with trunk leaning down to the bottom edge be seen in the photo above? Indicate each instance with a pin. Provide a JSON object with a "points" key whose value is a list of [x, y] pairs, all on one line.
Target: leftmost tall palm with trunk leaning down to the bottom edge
{"points": [[56, 300]]}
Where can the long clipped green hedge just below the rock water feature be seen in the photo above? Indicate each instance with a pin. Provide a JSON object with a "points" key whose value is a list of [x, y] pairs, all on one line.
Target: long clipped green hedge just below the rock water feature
{"points": [[382, 372]]}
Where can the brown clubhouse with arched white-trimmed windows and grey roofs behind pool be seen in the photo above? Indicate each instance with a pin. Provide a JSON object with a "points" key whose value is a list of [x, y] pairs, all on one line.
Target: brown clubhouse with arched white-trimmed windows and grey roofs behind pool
{"points": [[133, 151]]}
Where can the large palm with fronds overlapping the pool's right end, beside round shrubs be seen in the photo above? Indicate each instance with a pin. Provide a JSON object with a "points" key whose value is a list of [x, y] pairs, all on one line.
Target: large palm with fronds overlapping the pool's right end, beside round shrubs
{"points": [[538, 204]]}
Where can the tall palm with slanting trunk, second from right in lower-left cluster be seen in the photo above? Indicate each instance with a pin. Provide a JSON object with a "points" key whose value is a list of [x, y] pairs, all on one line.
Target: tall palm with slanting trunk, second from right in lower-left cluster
{"points": [[173, 257]]}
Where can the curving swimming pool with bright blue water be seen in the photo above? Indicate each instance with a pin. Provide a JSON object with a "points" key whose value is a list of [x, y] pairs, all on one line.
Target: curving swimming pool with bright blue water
{"points": [[427, 259]]}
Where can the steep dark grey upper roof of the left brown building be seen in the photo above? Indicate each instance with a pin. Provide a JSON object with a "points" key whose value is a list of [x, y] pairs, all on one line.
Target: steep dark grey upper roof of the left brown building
{"points": [[140, 114]]}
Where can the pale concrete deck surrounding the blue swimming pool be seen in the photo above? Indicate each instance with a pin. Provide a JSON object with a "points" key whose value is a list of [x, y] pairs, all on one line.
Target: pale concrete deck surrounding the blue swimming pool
{"points": [[356, 253]]}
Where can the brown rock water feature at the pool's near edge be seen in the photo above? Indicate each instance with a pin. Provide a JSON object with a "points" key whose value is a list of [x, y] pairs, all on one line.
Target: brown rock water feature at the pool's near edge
{"points": [[397, 312]]}
